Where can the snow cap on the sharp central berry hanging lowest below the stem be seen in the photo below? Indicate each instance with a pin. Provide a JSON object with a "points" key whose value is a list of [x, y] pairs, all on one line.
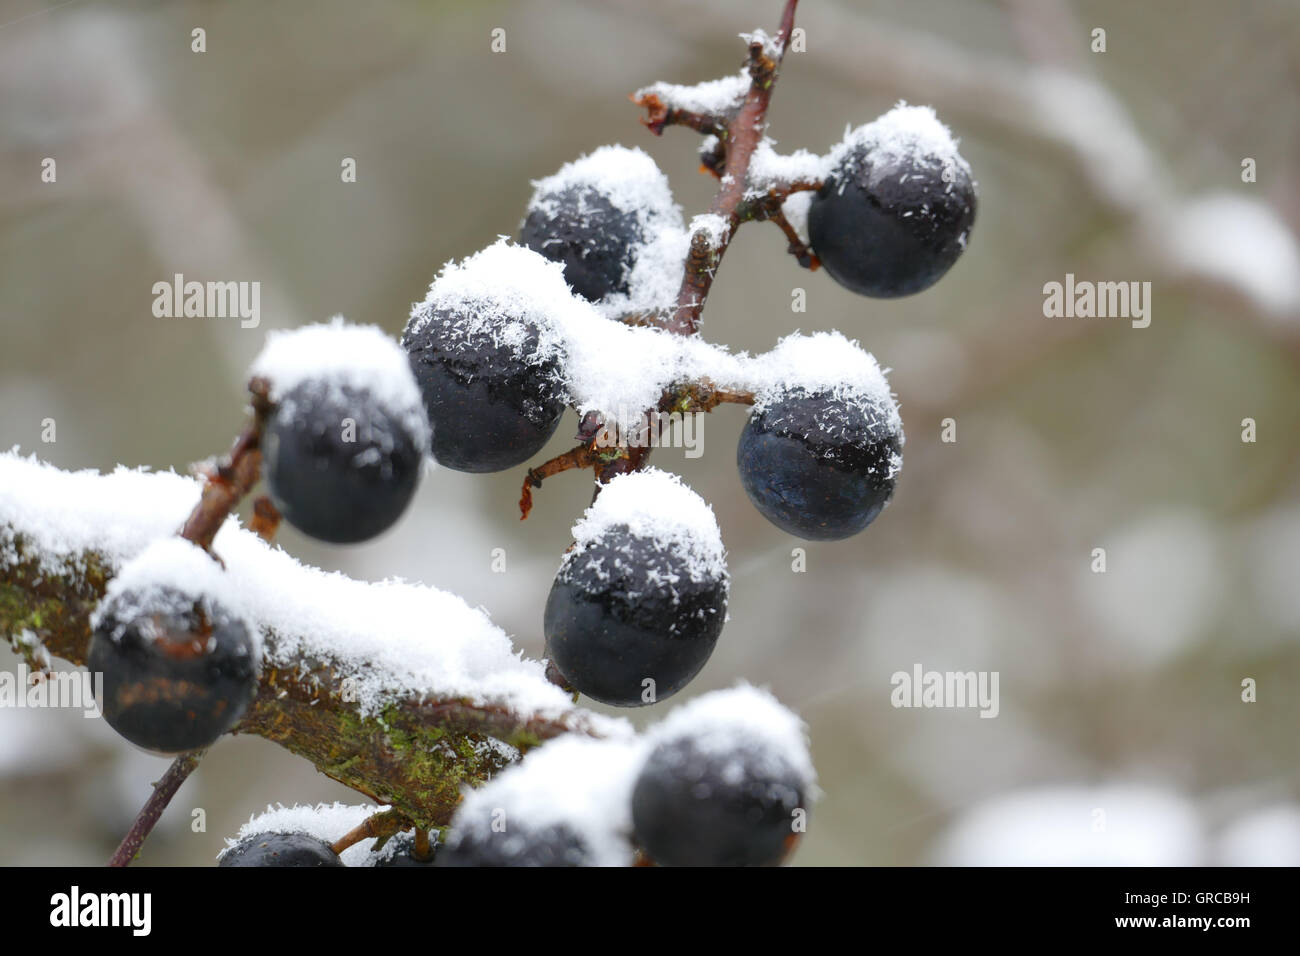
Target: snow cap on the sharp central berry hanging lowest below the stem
{"points": [[658, 507]]}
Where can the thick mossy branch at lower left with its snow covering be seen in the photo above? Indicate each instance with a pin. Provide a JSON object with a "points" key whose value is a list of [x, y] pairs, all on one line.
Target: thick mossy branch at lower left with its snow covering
{"points": [[400, 691]]}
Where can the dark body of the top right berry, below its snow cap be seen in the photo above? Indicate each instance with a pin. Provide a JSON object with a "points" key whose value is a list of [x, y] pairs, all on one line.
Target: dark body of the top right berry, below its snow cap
{"points": [[887, 224]]}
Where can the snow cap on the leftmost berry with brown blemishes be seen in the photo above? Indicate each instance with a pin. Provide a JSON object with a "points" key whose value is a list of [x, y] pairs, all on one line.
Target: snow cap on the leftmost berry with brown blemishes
{"points": [[170, 577]]}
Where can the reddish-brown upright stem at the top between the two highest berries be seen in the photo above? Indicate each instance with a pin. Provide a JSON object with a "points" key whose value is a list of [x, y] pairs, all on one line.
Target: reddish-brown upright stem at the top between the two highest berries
{"points": [[744, 133]]}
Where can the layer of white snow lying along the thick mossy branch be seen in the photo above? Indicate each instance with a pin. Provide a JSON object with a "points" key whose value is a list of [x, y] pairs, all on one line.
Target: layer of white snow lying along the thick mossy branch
{"points": [[395, 639]]}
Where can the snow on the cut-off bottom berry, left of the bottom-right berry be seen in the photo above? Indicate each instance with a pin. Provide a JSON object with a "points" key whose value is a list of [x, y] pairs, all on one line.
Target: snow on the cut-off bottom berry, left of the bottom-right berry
{"points": [[580, 784]]}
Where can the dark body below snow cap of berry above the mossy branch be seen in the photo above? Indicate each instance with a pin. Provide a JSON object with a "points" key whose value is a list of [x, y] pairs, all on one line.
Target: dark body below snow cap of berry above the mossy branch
{"points": [[340, 465]]}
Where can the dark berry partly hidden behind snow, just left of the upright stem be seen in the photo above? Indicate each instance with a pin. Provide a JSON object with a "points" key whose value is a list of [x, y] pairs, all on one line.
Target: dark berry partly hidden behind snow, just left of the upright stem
{"points": [[582, 230]]}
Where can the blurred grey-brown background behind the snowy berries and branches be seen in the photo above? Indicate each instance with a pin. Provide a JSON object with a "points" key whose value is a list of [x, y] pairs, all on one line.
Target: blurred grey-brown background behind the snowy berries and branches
{"points": [[1119, 691]]}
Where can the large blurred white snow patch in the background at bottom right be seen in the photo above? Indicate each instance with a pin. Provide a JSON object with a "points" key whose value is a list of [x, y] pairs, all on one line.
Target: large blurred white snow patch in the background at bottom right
{"points": [[1067, 827]]}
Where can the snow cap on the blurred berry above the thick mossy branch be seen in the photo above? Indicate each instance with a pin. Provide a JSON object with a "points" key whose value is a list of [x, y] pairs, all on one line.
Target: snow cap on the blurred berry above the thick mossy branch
{"points": [[340, 354]]}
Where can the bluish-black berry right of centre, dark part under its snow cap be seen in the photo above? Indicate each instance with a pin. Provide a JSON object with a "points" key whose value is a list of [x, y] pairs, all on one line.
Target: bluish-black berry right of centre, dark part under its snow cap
{"points": [[820, 468]]}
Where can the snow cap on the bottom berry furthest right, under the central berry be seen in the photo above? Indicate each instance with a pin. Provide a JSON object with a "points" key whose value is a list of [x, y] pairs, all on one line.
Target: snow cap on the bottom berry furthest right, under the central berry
{"points": [[743, 724]]}
